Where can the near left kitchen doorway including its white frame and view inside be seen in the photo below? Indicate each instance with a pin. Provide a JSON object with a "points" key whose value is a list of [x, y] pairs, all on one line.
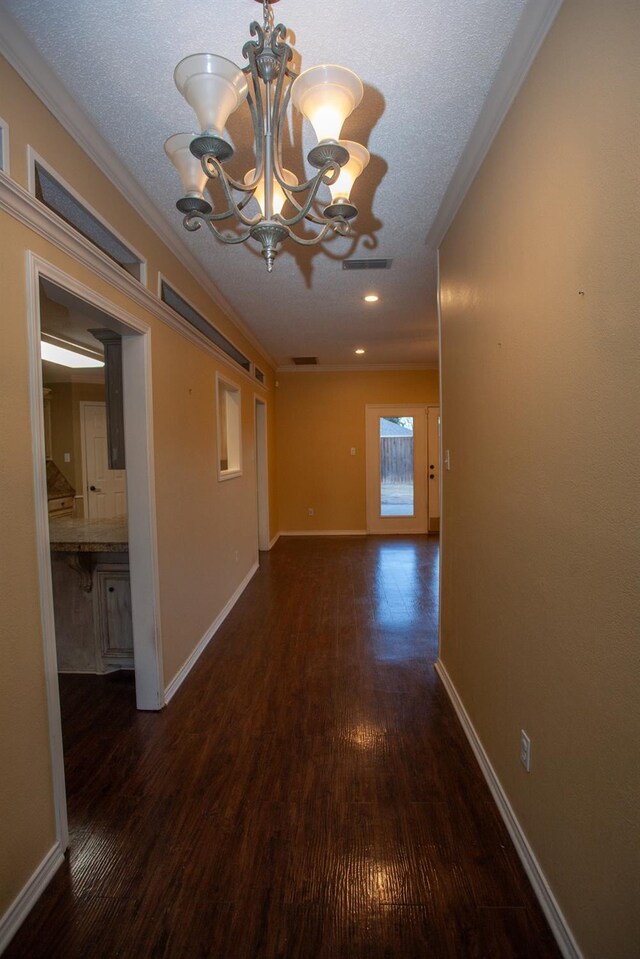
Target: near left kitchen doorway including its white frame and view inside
{"points": [[97, 573]]}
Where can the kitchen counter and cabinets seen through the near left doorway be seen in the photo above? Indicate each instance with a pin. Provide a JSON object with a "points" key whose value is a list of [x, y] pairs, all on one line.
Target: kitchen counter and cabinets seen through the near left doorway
{"points": [[86, 495]]}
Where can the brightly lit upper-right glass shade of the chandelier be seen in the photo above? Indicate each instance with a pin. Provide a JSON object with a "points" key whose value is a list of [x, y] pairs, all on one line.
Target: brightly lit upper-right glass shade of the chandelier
{"points": [[326, 95]]}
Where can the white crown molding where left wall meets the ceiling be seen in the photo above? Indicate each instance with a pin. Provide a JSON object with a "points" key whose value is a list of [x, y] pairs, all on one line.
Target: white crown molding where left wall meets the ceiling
{"points": [[27, 61]]}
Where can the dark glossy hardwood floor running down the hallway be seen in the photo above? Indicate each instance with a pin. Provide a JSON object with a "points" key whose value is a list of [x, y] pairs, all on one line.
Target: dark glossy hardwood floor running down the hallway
{"points": [[307, 794]]}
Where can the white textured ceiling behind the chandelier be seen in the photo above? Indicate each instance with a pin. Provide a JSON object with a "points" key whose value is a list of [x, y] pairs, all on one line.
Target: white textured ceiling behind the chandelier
{"points": [[427, 68]]}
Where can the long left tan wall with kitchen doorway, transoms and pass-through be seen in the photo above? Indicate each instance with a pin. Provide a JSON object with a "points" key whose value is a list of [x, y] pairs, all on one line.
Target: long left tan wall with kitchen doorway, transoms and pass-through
{"points": [[207, 531]]}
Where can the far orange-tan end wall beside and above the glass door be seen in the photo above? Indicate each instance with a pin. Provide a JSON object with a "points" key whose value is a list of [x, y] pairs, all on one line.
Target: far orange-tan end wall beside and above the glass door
{"points": [[320, 416]]}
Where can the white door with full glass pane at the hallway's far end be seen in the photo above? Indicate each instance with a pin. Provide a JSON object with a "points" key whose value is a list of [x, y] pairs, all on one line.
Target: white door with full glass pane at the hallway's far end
{"points": [[396, 441]]}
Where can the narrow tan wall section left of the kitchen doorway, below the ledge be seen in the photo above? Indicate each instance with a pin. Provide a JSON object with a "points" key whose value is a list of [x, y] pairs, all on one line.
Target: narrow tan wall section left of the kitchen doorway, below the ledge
{"points": [[26, 811]]}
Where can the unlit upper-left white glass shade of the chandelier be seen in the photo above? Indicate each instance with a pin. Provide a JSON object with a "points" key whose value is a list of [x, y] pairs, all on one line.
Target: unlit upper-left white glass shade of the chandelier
{"points": [[213, 87]]}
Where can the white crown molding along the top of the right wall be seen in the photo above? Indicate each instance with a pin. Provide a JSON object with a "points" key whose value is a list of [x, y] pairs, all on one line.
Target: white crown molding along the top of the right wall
{"points": [[534, 25]]}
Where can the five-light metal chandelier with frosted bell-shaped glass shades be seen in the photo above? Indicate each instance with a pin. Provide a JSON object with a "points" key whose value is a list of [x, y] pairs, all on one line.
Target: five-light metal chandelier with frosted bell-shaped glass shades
{"points": [[215, 87]]}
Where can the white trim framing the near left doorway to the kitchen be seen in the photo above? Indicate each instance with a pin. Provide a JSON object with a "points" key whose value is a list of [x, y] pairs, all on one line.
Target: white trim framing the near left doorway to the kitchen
{"points": [[140, 496]]}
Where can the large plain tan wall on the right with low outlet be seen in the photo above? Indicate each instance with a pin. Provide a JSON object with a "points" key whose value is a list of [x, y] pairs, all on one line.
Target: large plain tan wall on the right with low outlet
{"points": [[541, 411]]}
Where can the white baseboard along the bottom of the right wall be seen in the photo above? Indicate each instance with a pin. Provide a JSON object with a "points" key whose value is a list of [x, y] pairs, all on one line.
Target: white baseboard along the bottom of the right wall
{"points": [[559, 927]]}
